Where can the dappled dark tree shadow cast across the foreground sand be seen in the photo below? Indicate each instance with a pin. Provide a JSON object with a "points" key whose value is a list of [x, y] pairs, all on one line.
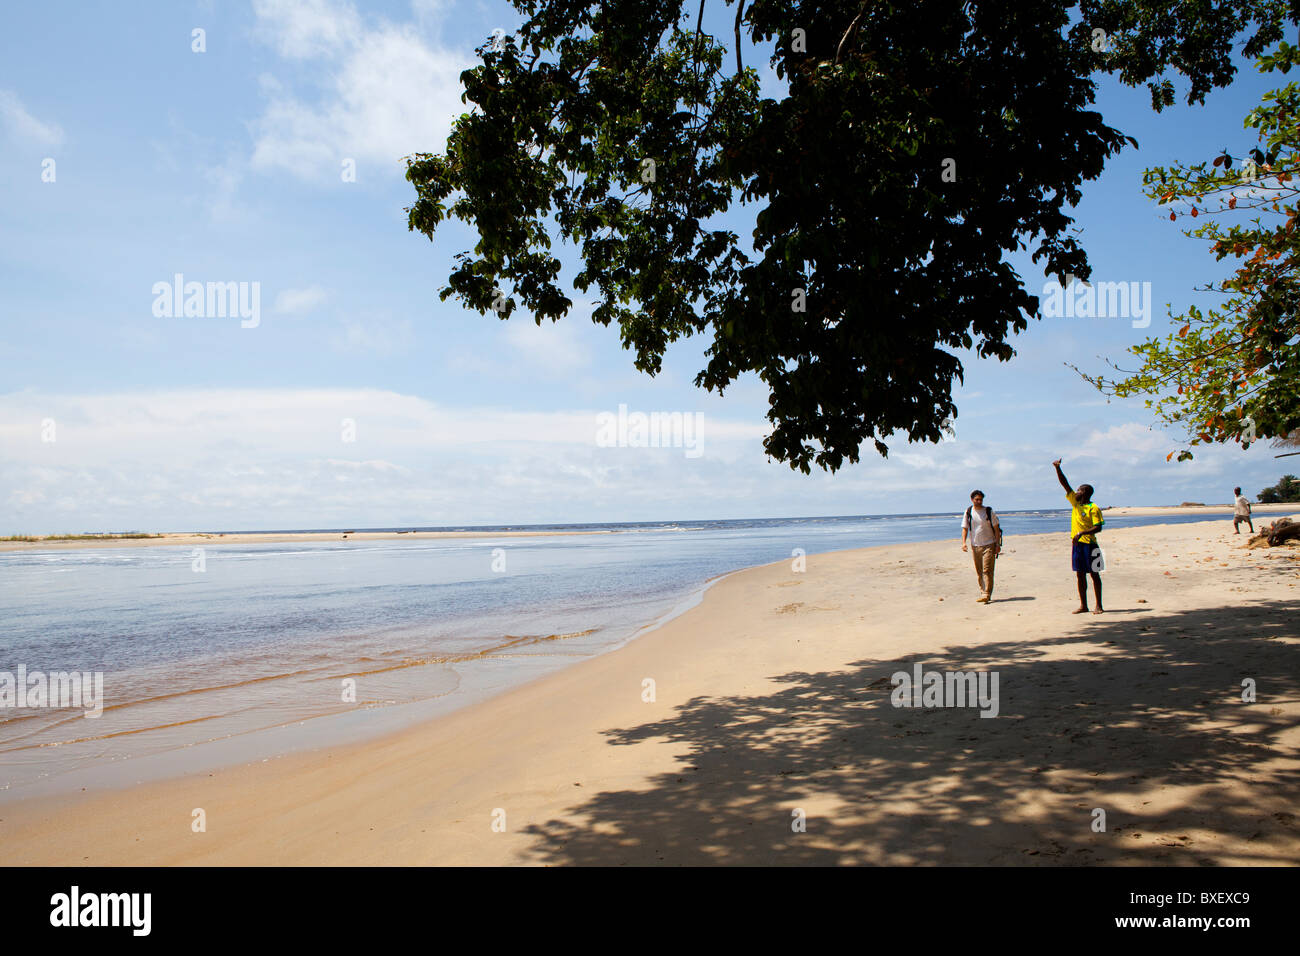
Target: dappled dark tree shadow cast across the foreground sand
{"points": [[1158, 706]]}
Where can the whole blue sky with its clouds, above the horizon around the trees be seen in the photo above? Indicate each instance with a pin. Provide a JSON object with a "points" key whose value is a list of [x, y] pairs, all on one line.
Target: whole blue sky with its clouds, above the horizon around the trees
{"points": [[227, 166]]}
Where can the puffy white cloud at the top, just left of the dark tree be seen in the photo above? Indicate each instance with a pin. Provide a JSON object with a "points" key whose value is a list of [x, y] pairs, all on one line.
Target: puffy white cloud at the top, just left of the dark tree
{"points": [[382, 92]]}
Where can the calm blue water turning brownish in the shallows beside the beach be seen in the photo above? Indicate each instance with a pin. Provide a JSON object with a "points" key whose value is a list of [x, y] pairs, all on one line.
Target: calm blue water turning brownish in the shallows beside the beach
{"points": [[250, 657]]}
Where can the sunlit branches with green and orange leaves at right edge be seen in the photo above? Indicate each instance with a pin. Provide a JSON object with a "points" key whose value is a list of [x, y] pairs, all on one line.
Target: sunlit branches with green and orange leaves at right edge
{"points": [[1232, 374]]}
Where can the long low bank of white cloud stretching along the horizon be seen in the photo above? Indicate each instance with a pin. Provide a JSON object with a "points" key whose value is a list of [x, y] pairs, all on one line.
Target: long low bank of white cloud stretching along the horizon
{"points": [[275, 458]]}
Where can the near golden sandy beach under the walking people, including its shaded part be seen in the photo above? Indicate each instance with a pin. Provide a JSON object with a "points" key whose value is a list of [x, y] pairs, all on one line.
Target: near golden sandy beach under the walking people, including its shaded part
{"points": [[773, 700]]}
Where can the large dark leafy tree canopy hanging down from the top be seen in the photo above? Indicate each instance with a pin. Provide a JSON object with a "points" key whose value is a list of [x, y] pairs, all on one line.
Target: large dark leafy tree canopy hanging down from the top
{"points": [[918, 146]]}
